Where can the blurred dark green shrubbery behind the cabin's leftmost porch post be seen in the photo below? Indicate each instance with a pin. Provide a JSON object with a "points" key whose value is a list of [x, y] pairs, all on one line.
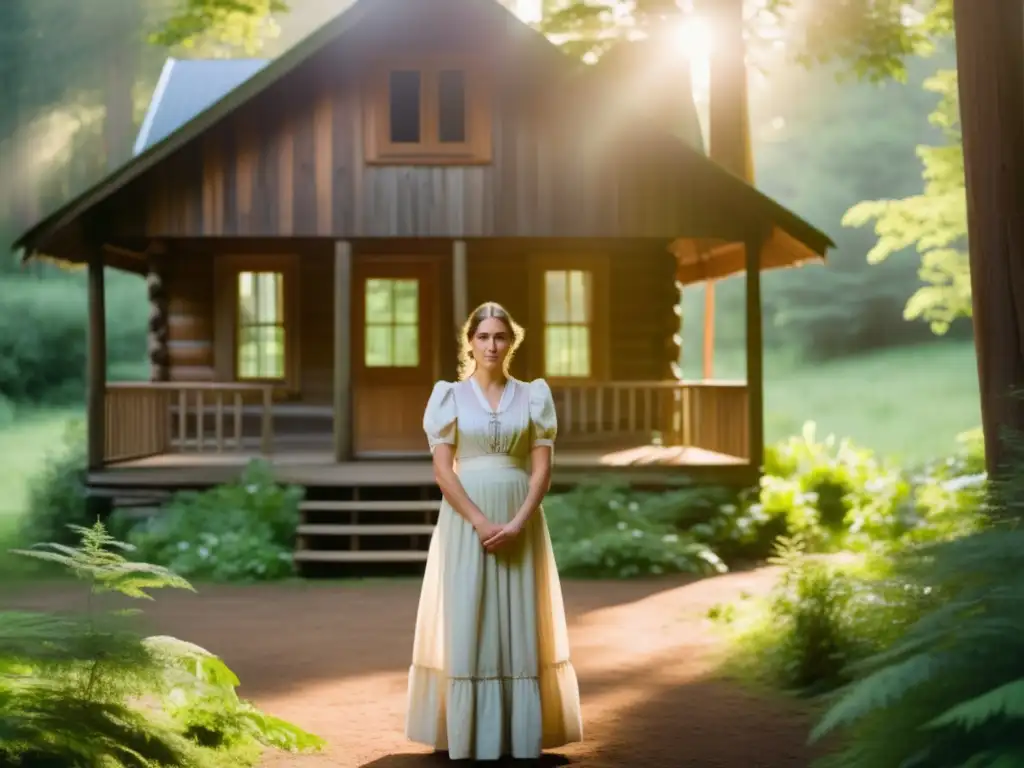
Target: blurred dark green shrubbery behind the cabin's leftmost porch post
{"points": [[44, 333]]}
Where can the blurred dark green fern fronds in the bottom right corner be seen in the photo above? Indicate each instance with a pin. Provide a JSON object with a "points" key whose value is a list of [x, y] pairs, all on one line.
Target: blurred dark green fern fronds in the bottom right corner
{"points": [[949, 692]]}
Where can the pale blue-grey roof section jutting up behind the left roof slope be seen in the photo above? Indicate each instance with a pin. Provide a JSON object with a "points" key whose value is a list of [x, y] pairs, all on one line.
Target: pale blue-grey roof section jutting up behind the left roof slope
{"points": [[187, 89]]}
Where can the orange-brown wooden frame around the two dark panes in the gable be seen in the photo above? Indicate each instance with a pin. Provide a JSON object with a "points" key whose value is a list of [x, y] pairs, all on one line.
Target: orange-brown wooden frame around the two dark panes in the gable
{"points": [[477, 150]]}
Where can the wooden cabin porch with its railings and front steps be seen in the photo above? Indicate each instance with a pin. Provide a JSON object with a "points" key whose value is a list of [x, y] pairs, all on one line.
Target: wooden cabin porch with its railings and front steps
{"points": [[165, 437]]}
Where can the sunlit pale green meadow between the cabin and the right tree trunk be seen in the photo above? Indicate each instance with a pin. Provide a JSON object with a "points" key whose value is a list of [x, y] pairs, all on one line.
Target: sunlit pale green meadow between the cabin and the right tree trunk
{"points": [[909, 404]]}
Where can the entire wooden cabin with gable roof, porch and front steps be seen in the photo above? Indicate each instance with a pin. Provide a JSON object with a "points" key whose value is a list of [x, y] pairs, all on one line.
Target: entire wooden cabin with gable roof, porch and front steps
{"points": [[315, 231]]}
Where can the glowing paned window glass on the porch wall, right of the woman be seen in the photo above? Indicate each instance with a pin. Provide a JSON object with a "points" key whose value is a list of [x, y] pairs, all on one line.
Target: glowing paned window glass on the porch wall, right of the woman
{"points": [[568, 323]]}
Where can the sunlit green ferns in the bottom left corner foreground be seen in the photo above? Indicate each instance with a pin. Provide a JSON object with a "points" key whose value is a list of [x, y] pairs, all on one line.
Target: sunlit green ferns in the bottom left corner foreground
{"points": [[91, 693]]}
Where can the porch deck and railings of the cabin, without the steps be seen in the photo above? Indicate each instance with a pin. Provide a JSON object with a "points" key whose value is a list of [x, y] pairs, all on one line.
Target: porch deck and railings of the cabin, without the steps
{"points": [[201, 433]]}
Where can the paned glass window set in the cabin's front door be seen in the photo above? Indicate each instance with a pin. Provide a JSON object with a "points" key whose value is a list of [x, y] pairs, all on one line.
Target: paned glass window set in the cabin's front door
{"points": [[393, 323]]}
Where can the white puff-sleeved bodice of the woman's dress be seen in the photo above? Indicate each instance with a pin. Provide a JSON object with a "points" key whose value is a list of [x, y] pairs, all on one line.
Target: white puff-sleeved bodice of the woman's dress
{"points": [[458, 414]]}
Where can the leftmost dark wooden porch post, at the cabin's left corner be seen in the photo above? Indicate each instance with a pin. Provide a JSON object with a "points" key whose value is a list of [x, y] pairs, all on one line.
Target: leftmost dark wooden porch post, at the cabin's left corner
{"points": [[97, 363]]}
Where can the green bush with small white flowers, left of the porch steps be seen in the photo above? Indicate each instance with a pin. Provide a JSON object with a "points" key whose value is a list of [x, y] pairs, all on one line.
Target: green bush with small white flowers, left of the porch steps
{"points": [[242, 531]]}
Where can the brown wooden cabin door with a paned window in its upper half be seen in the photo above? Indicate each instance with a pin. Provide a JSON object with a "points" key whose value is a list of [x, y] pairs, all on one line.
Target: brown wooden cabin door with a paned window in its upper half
{"points": [[395, 352]]}
